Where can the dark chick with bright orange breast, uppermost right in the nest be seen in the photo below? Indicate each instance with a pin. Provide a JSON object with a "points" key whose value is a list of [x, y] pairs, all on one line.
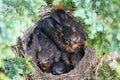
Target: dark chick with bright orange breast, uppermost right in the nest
{"points": [[73, 32]]}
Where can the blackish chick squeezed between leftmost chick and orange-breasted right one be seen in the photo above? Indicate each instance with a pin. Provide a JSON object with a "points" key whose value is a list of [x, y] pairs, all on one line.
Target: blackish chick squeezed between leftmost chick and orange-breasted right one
{"points": [[53, 31]]}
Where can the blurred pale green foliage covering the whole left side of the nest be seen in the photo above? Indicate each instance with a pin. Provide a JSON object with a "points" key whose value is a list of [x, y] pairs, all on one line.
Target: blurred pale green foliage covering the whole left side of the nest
{"points": [[15, 17]]}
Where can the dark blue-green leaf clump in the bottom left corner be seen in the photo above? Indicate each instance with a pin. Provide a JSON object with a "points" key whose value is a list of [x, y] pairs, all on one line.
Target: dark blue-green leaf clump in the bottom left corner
{"points": [[15, 66]]}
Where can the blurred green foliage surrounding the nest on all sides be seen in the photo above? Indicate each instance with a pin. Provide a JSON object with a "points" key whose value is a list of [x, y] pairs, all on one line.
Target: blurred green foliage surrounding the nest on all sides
{"points": [[101, 20]]}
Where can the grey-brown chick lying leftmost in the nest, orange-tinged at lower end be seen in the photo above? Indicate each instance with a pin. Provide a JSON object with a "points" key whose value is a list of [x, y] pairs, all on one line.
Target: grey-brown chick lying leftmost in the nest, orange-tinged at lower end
{"points": [[48, 53]]}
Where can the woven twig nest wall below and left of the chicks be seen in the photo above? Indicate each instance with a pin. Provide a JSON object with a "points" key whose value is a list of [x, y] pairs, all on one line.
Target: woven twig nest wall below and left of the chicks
{"points": [[86, 64]]}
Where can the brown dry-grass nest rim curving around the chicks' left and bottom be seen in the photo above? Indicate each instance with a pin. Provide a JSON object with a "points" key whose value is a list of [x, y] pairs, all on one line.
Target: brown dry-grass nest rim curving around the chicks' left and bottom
{"points": [[86, 65]]}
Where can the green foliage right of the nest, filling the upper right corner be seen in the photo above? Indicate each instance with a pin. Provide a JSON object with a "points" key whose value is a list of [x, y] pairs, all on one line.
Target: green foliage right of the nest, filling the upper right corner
{"points": [[102, 23]]}
